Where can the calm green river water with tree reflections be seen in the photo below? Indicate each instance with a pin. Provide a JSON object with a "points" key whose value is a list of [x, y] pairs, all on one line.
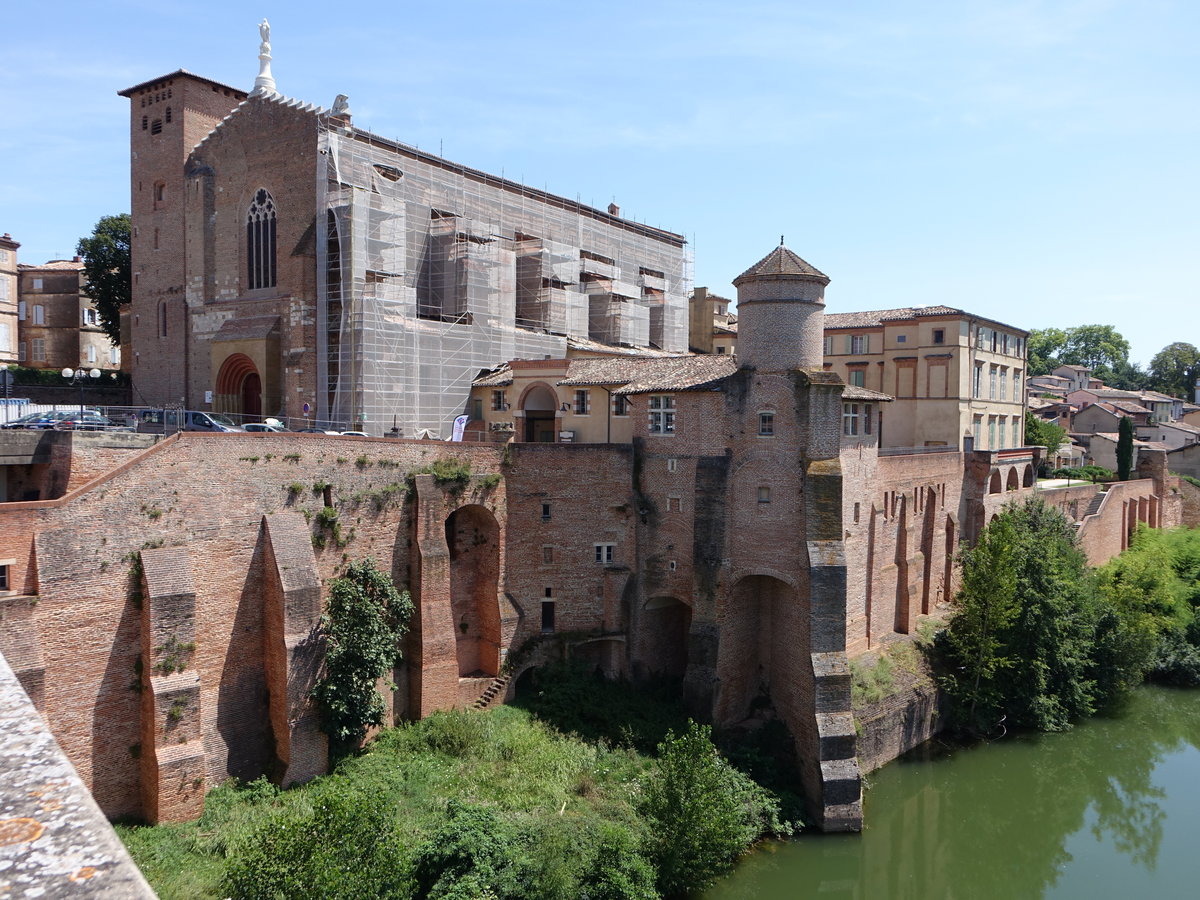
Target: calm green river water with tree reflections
{"points": [[1111, 809]]}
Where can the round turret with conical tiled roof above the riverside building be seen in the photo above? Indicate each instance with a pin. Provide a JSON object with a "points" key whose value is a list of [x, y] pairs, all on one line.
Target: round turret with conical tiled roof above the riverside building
{"points": [[782, 314]]}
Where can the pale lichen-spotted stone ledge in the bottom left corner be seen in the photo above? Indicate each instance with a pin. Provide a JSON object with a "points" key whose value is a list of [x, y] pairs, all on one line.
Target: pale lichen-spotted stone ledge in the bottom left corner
{"points": [[55, 842]]}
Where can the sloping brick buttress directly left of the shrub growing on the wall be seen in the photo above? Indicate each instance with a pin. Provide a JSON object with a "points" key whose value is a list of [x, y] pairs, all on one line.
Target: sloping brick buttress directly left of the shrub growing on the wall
{"points": [[292, 656]]}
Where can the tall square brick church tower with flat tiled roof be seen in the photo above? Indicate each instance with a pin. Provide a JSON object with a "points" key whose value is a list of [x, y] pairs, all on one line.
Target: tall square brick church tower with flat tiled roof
{"points": [[169, 117]]}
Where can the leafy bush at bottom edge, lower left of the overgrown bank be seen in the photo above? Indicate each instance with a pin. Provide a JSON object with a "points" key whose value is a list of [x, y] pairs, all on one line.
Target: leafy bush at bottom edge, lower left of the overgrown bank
{"points": [[345, 847]]}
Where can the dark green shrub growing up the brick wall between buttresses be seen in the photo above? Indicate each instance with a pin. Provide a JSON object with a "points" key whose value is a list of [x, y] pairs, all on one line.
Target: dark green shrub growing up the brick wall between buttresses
{"points": [[363, 627]]}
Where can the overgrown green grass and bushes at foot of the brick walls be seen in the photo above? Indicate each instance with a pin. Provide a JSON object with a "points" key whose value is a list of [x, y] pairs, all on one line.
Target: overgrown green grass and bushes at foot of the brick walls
{"points": [[482, 805]]}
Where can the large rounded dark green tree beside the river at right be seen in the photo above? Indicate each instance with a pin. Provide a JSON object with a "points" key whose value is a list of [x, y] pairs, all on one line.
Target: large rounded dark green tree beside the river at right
{"points": [[1021, 649]]}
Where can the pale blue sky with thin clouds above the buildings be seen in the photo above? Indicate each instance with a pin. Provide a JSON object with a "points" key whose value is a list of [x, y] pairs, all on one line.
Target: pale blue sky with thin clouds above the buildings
{"points": [[1036, 163]]}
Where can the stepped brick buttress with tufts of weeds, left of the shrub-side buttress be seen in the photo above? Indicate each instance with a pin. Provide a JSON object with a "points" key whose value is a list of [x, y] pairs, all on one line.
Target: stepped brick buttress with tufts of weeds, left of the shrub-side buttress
{"points": [[173, 764]]}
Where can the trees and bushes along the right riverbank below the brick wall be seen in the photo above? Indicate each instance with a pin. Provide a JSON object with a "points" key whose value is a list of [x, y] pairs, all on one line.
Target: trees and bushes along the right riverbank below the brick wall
{"points": [[1040, 640]]}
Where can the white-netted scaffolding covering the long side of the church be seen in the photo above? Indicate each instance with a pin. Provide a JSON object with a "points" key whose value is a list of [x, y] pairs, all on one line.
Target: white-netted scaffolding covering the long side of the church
{"points": [[429, 273]]}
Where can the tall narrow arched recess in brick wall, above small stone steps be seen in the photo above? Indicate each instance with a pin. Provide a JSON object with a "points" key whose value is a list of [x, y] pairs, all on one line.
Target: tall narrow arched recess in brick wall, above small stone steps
{"points": [[473, 541]]}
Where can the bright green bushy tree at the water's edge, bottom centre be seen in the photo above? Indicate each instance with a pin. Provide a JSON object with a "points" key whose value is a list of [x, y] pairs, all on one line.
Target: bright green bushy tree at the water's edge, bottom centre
{"points": [[703, 813]]}
